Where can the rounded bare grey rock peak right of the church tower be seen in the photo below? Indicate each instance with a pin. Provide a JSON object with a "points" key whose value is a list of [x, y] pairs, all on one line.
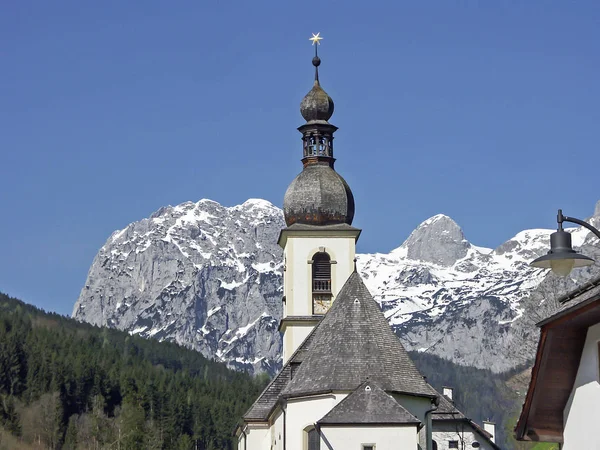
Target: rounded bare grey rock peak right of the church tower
{"points": [[437, 240]]}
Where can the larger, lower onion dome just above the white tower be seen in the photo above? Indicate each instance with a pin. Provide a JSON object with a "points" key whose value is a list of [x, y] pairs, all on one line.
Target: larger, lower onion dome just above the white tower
{"points": [[318, 196]]}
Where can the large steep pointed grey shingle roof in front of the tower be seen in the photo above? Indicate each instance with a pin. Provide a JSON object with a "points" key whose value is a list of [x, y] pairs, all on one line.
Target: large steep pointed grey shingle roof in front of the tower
{"points": [[352, 343]]}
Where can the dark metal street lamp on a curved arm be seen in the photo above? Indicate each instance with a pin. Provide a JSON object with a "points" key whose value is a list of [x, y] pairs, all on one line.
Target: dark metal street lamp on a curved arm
{"points": [[562, 258]]}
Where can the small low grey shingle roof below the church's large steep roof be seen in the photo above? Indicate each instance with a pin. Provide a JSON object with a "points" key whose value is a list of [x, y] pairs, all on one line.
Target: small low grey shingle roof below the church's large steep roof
{"points": [[368, 404]]}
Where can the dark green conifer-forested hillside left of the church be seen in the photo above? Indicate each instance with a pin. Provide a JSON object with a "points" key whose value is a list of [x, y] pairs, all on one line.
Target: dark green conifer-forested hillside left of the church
{"points": [[65, 384]]}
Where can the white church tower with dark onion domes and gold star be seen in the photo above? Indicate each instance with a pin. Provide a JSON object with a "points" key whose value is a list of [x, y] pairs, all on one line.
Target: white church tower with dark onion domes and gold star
{"points": [[319, 243]]}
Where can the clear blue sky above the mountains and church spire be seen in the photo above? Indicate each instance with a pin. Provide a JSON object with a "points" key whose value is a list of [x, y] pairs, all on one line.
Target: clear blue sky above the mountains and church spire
{"points": [[486, 111]]}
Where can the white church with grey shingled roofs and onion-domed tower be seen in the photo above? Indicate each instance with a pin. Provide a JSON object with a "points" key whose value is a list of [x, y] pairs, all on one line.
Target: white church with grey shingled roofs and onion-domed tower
{"points": [[347, 382]]}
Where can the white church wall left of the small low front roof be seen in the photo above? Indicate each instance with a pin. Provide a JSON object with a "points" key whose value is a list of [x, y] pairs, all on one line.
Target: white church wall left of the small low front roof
{"points": [[305, 412]]}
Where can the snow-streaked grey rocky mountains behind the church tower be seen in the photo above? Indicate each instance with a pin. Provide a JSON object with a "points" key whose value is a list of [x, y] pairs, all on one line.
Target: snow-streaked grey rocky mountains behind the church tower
{"points": [[210, 277]]}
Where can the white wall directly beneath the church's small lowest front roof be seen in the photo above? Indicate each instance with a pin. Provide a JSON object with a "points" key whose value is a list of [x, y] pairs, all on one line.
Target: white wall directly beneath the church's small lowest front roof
{"points": [[384, 438]]}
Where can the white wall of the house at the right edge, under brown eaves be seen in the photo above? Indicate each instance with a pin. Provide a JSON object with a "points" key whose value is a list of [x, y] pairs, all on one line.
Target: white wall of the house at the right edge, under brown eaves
{"points": [[582, 413]]}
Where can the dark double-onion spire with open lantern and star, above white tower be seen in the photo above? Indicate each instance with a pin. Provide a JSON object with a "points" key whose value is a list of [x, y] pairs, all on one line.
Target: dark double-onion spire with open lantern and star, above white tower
{"points": [[318, 195]]}
